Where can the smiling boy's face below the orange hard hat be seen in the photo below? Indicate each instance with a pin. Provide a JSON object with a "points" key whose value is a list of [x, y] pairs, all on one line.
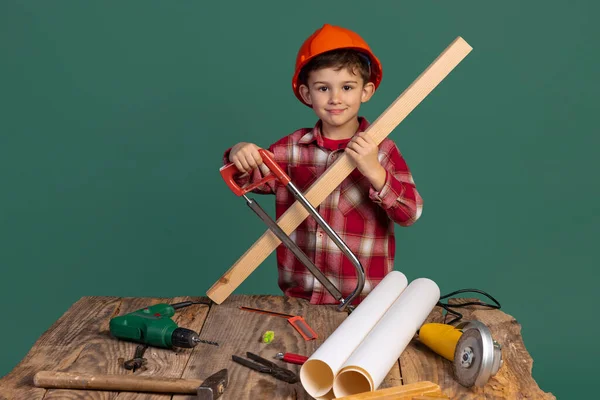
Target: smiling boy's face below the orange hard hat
{"points": [[336, 95]]}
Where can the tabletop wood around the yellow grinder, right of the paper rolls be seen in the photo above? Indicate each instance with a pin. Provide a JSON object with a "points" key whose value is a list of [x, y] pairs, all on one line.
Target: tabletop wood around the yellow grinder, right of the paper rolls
{"points": [[512, 381]]}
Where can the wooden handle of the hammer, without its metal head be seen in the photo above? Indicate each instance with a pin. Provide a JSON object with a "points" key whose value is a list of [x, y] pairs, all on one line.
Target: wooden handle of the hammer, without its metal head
{"points": [[131, 383]]}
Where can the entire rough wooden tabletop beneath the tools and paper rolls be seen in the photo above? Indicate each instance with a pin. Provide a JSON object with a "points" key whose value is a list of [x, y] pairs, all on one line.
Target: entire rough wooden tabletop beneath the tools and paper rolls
{"points": [[80, 342]]}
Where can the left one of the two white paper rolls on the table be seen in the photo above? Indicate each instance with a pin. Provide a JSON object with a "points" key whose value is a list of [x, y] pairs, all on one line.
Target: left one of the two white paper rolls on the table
{"points": [[318, 372]]}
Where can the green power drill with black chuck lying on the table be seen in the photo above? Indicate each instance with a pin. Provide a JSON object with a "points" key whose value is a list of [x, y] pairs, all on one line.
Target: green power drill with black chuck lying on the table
{"points": [[153, 326]]}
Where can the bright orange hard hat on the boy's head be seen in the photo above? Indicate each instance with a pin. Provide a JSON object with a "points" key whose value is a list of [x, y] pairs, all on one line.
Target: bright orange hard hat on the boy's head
{"points": [[330, 37]]}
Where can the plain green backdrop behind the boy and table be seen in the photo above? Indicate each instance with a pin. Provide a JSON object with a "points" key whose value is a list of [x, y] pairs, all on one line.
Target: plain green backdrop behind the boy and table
{"points": [[114, 117]]}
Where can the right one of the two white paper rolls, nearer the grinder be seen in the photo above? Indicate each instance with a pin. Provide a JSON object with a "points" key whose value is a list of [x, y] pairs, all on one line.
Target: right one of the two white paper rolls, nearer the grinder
{"points": [[371, 361]]}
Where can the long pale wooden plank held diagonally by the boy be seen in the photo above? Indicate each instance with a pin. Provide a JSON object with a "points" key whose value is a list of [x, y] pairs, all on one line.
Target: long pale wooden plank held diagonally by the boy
{"points": [[341, 168]]}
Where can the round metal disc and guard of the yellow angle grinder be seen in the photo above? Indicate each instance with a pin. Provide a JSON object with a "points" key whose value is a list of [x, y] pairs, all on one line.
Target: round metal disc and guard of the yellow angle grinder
{"points": [[477, 356]]}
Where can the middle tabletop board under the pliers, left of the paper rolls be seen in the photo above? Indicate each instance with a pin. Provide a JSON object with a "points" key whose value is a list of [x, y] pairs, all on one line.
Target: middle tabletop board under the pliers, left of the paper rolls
{"points": [[240, 331]]}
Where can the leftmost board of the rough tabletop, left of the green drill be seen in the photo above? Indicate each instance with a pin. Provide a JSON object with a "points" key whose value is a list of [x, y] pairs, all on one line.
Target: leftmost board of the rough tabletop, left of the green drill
{"points": [[59, 346]]}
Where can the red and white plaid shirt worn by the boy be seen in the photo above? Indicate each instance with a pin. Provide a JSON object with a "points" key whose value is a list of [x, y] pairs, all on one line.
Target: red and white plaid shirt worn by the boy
{"points": [[361, 216]]}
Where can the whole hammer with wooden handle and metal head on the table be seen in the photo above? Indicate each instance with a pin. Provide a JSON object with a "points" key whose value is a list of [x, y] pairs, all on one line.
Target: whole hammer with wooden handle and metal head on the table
{"points": [[210, 389]]}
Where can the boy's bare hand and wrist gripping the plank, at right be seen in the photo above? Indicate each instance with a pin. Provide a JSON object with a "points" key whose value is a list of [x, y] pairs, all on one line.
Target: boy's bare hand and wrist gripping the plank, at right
{"points": [[363, 151]]}
